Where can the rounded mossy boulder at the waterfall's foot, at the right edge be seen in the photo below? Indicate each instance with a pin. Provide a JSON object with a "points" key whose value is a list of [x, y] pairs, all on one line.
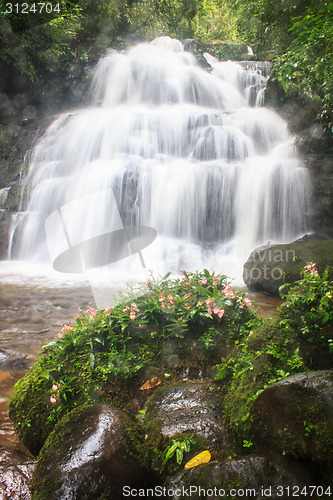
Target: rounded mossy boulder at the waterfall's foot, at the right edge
{"points": [[269, 267]]}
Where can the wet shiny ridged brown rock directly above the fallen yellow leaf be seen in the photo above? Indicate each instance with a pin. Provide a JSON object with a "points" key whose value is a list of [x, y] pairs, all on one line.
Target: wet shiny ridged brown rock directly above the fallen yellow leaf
{"points": [[191, 408]]}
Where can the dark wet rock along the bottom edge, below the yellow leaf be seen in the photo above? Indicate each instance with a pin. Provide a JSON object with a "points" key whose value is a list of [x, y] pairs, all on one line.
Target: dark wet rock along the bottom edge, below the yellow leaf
{"points": [[254, 477]]}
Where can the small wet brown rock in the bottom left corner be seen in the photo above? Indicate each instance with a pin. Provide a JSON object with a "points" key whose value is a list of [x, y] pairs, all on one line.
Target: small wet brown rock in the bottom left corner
{"points": [[15, 475]]}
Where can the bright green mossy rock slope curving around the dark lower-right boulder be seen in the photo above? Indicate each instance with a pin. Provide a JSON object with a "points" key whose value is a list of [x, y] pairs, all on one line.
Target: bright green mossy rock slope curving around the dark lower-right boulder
{"points": [[268, 354]]}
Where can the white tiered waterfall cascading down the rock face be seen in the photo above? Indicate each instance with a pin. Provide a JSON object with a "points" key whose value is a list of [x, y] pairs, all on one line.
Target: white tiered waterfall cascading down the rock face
{"points": [[188, 152]]}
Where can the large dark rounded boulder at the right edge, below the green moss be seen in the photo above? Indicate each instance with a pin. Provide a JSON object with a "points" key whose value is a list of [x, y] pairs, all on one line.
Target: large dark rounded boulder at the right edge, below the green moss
{"points": [[295, 417]]}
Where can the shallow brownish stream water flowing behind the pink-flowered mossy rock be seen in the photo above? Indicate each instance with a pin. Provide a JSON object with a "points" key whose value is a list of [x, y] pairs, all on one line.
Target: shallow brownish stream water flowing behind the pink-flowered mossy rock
{"points": [[31, 315]]}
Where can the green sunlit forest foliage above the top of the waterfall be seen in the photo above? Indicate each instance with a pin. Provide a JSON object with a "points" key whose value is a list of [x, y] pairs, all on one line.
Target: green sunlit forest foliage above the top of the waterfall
{"points": [[297, 34]]}
